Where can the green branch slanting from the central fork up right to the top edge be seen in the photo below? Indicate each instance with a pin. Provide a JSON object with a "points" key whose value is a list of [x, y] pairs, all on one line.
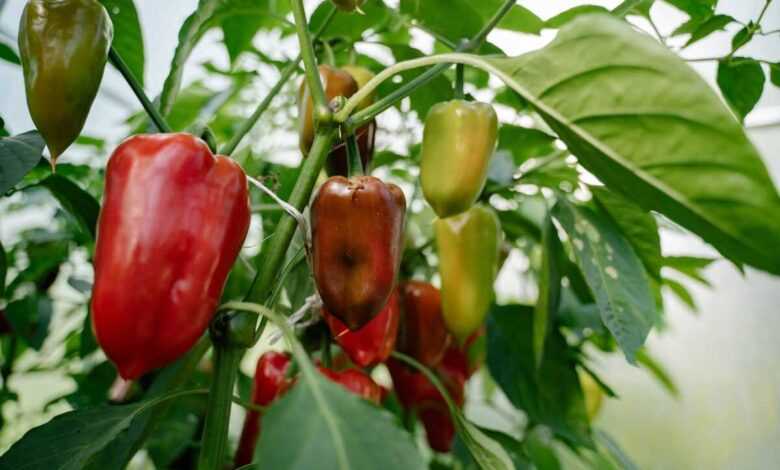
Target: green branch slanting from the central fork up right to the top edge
{"points": [[365, 115]]}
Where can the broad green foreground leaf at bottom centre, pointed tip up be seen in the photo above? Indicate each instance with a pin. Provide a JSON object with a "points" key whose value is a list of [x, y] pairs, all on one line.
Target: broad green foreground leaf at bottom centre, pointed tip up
{"points": [[319, 424]]}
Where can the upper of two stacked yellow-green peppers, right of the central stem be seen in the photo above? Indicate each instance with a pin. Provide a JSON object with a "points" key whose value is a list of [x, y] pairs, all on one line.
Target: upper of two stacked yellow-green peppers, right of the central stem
{"points": [[458, 141]]}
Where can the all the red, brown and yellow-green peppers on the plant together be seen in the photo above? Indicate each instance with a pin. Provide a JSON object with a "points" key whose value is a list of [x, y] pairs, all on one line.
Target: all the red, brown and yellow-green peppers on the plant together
{"points": [[178, 262]]}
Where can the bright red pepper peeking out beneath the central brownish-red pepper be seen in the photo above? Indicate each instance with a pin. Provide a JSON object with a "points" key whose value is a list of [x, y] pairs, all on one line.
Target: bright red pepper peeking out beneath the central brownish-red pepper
{"points": [[374, 342]]}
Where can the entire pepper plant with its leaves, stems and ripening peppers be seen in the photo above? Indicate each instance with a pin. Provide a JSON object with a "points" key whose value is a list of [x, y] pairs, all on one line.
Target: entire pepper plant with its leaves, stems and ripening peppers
{"points": [[137, 293]]}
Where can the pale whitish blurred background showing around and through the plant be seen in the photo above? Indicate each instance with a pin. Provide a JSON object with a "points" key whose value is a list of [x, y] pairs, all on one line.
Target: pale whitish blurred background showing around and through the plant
{"points": [[723, 360]]}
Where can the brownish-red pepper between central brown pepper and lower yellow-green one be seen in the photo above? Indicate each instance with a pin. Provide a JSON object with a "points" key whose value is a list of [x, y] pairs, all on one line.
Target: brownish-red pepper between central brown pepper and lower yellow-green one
{"points": [[422, 334]]}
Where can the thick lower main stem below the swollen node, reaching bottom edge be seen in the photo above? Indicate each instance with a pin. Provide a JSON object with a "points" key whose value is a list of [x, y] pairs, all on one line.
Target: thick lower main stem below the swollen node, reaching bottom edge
{"points": [[214, 444]]}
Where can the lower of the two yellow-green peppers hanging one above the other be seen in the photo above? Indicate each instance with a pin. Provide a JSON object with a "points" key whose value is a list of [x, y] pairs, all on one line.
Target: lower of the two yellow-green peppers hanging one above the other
{"points": [[468, 246]]}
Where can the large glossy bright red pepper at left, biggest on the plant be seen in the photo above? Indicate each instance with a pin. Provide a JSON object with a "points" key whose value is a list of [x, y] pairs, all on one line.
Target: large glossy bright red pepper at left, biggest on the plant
{"points": [[173, 220]]}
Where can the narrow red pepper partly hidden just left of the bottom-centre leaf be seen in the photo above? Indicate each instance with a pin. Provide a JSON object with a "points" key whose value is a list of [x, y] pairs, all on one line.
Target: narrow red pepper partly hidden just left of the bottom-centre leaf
{"points": [[270, 382]]}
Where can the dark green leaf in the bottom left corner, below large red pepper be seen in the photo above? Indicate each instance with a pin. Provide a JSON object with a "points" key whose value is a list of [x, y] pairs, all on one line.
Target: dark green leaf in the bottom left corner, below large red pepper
{"points": [[70, 440]]}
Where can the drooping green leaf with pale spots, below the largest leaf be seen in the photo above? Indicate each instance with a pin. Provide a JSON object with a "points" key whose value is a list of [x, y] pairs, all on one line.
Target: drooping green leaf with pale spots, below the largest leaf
{"points": [[614, 273]]}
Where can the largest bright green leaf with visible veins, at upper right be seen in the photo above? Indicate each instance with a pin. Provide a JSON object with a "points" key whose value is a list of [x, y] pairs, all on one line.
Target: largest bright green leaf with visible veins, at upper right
{"points": [[655, 133]]}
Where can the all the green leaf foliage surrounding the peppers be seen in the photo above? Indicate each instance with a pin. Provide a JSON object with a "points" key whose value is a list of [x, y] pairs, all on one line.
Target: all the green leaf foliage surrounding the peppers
{"points": [[601, 100]]}
